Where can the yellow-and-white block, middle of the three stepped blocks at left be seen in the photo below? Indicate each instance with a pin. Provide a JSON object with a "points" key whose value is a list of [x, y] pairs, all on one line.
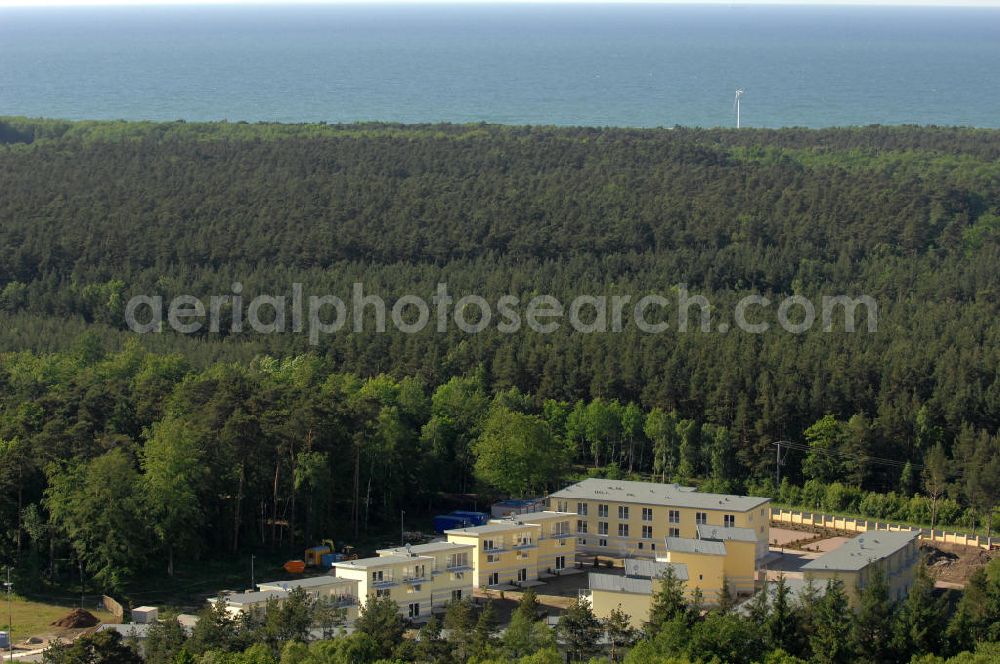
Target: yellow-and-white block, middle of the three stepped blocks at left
{"points": [[412, 580]]}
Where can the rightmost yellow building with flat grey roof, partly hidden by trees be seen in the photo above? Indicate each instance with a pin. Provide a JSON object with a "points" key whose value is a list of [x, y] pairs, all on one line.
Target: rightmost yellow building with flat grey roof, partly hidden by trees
{"points": [[895, 553]]}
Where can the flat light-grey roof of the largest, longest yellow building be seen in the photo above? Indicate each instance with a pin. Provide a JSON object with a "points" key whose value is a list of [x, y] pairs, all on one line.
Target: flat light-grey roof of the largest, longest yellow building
{"points": [[654, 493]]}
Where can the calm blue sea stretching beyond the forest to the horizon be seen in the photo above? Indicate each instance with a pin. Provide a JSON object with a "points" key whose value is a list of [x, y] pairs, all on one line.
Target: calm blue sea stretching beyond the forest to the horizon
{"points": [[578, 65]]}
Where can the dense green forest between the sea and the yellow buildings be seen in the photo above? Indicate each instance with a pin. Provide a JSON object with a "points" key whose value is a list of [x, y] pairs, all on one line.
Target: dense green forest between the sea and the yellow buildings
{"points": [[129, 452]]}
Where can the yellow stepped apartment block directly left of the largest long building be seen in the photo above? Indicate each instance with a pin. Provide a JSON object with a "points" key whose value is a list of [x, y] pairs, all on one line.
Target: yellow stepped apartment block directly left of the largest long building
{"points": [[519, 550]]}
